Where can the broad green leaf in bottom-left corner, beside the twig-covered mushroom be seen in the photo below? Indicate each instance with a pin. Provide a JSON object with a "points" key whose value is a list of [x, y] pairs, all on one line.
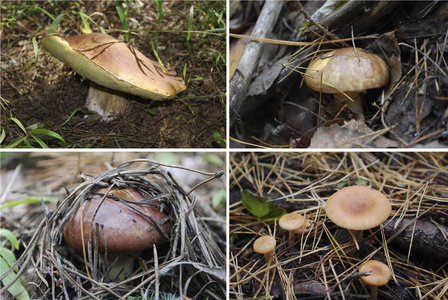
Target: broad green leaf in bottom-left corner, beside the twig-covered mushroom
{"points": [[17, 290]]}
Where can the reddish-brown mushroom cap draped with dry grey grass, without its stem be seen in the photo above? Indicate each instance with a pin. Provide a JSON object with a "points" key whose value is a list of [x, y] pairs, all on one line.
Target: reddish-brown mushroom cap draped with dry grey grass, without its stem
{"points": [[124, 228]]}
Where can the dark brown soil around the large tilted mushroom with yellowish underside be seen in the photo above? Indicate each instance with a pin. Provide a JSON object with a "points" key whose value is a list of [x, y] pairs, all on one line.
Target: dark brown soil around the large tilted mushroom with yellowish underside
{"points": [[38, 89]]}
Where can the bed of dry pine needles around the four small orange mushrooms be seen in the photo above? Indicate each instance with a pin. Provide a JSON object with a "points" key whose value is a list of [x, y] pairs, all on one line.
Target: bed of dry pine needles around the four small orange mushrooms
{"points": [[324, 261]]}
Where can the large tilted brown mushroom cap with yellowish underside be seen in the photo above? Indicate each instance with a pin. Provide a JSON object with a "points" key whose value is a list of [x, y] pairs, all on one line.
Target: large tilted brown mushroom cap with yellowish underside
{"points": [[111, 63]]}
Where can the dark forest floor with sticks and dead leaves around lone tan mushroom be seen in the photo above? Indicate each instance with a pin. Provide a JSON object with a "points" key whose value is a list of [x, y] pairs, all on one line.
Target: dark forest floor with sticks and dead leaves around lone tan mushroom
{"points": [[271, 106]]}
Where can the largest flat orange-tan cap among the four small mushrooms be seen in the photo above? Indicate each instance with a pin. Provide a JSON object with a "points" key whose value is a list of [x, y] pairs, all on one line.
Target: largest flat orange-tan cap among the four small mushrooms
{"points": [[358, 207]]}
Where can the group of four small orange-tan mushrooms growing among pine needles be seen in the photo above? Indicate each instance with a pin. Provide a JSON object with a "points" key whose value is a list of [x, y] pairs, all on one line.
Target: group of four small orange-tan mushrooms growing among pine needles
{"points": [[354, 208]]}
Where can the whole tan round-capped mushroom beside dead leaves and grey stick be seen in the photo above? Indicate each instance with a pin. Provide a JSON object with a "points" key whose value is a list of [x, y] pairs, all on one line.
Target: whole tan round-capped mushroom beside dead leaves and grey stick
{"points": [[346, 73]]}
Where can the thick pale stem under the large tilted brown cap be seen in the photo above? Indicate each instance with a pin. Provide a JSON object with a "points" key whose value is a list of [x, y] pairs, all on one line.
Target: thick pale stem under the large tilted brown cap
{"points": [[106, 102]]}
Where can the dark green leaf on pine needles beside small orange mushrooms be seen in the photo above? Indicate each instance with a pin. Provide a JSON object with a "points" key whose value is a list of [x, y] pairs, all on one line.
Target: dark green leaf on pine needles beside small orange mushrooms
{"points": [[260, 207]]}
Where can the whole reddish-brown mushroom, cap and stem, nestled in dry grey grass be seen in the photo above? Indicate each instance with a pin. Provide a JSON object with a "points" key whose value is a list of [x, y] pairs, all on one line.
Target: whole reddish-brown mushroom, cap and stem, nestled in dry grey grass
{"points": [[126, 228]]}
